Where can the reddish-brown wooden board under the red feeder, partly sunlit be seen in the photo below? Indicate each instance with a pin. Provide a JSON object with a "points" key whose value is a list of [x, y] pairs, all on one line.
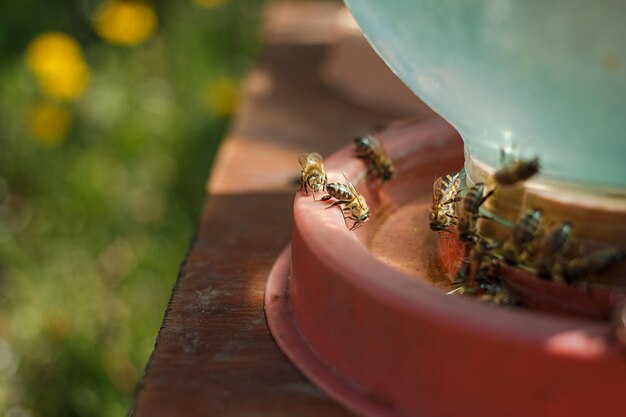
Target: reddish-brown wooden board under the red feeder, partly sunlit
{"points": [[214, 355]]}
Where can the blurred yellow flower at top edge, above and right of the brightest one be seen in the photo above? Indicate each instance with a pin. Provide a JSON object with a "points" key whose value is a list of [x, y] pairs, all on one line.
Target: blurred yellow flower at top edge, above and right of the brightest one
{"points": [[125, 22]]}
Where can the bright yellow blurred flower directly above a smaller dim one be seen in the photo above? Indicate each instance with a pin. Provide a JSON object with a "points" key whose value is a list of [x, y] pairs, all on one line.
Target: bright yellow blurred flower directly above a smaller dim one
{"points": [[57, 62]]}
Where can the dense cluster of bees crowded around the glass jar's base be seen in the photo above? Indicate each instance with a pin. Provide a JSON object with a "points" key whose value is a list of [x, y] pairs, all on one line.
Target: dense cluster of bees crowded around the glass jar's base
{"points": [[549, 253]]}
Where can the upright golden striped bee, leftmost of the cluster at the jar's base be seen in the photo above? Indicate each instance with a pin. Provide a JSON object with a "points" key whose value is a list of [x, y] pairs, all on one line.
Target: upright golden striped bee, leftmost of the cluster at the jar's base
{"points": [[445, 195]]}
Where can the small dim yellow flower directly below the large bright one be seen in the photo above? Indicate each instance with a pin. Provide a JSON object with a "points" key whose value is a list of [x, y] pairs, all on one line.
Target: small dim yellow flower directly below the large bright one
{"points": [[49, 122]]}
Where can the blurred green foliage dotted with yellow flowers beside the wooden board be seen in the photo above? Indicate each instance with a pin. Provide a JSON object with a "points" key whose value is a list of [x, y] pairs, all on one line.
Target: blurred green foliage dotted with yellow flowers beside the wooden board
{"points": [[110, 115]]}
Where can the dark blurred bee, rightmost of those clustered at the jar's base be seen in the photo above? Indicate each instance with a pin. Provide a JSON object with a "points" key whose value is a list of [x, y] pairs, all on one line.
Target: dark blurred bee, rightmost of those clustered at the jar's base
{"points": [[596, 263]]}
